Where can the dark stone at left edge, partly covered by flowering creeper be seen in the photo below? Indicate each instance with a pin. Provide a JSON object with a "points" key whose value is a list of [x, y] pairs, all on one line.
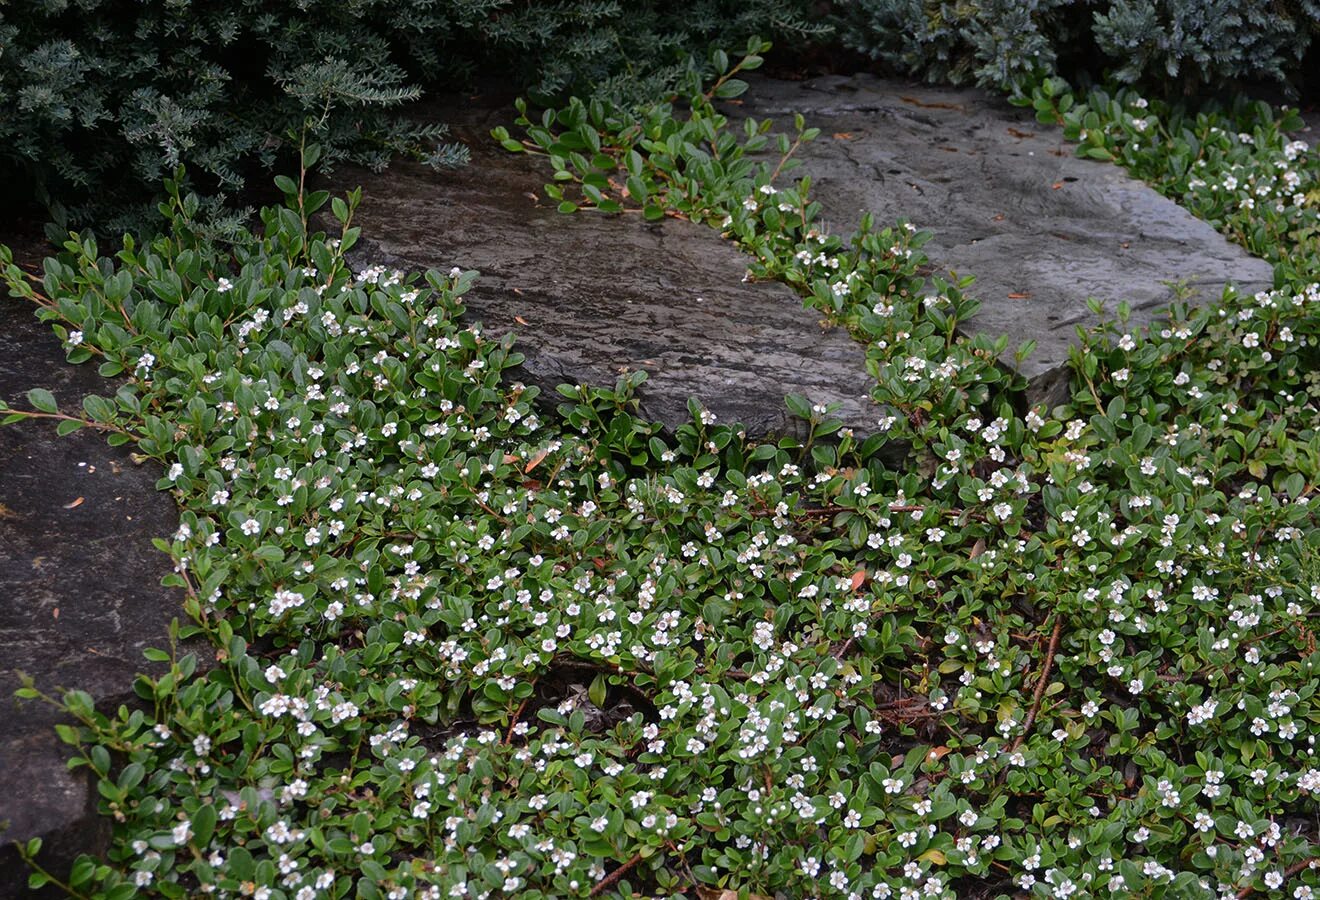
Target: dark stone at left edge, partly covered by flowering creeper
{"points": [[80, 593]]}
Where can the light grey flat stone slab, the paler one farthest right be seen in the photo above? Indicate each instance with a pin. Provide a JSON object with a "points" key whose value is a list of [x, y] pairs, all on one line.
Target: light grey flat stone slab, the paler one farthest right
{"points": [[1009, 204]]}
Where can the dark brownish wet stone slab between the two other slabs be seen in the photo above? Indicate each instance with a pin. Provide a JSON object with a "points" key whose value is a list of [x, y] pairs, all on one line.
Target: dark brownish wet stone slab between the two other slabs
{"points": [[593, 298]]}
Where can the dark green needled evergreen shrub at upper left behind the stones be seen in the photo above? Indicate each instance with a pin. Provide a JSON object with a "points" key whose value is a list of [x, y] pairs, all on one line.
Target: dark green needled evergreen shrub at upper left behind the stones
{"points": [[104, 98]]}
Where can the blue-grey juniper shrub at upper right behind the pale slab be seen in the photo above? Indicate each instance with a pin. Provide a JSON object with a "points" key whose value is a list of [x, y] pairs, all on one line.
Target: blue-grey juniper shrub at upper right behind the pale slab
{"points": [[1175, 46]]}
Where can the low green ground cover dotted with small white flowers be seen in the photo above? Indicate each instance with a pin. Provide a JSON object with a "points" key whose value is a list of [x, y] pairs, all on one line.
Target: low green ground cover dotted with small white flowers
{"points": [[469, 653]]}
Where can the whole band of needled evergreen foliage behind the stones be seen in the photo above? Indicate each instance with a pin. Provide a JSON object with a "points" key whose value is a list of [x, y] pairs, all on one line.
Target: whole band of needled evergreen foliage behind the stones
{"points": [[100, 100]]}
